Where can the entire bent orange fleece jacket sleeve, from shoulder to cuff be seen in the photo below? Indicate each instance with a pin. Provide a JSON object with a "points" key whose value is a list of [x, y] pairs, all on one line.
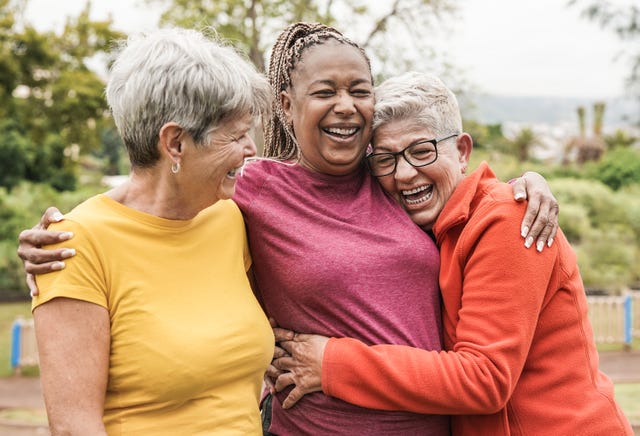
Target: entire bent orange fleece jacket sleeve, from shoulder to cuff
{"points": [[500, 299]]}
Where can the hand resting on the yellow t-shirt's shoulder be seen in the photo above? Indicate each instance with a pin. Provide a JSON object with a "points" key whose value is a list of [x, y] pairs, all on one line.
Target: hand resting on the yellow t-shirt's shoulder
{"points": [[37, 260]]}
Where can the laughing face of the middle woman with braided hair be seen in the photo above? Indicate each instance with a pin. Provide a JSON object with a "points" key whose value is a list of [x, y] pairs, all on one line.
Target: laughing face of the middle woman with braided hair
{"points": [[330, 104]]}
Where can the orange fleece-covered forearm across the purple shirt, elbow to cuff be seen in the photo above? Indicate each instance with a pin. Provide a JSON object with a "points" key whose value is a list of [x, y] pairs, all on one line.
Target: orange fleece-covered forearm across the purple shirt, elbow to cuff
{"points": [[396, 377]]}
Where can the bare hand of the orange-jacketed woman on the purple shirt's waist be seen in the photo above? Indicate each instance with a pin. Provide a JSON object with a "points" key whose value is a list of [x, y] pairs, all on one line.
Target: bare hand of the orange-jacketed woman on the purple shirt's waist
{"points": [[302, 365]]}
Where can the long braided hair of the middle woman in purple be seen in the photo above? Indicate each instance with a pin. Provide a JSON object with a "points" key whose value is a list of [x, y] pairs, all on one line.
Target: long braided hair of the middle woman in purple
{"points": [[280, 141]]}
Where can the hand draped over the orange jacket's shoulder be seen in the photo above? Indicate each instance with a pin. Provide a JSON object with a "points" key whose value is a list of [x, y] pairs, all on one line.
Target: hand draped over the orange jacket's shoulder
{"points": [[540, 221]]}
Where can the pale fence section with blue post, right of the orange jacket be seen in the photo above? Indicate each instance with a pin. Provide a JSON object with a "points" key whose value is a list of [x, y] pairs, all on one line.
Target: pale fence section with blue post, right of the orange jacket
{"points": [[615, 319]]}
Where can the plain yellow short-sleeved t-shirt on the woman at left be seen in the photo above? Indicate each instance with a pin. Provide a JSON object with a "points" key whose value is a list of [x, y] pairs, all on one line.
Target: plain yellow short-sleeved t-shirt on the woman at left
{"points": [[189, 341]]}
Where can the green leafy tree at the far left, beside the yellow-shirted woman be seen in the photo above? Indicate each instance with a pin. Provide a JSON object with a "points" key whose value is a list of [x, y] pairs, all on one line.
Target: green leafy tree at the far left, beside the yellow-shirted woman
{"points": [[50, 100]]}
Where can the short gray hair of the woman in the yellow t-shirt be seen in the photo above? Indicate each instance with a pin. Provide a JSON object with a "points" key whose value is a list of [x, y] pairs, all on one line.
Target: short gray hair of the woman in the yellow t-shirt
{"points": [[181, 76]]}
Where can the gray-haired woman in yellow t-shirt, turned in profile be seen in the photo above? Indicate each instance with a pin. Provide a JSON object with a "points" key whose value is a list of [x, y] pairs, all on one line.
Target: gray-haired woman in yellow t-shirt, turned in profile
{"points": [[152, 328]]}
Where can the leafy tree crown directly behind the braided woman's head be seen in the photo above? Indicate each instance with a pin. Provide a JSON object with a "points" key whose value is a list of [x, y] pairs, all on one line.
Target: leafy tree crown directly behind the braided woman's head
{"points": [[253, 26]]}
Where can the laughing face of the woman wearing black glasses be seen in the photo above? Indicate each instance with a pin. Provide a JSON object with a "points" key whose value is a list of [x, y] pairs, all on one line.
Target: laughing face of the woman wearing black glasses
{"points": [[422, 191]]}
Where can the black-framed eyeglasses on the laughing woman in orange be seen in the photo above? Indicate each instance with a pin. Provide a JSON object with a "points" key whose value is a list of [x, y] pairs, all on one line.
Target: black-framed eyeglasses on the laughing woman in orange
{"points": [[418, 154]]}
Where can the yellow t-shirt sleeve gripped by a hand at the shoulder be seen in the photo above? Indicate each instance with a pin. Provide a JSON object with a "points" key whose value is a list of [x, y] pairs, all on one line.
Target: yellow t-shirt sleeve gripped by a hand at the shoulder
{"points": [[83, 277]]}
